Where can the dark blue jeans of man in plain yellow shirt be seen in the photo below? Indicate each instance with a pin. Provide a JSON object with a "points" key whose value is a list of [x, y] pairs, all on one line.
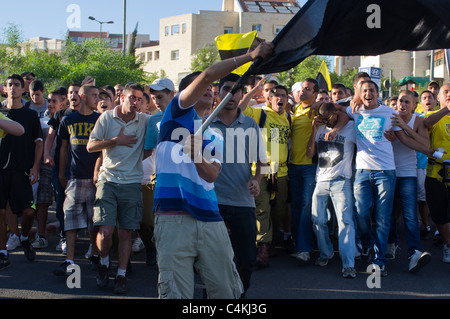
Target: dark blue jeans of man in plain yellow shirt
{"points": [[302, 179]]}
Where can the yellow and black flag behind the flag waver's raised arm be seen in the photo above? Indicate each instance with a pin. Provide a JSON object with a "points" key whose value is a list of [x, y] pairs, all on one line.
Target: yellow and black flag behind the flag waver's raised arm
{"points": [[235, 44]]}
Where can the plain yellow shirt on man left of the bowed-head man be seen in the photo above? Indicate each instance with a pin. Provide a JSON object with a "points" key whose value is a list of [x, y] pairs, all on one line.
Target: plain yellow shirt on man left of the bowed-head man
{"points": [[301, 132]]}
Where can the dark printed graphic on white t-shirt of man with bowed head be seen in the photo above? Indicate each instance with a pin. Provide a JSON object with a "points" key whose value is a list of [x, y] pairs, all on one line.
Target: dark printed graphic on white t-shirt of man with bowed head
{"points": [[330, 153]]}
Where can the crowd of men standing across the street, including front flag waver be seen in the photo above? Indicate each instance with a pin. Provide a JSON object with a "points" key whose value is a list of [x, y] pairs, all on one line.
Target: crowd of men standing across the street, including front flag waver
{"points": [[300, 168]]}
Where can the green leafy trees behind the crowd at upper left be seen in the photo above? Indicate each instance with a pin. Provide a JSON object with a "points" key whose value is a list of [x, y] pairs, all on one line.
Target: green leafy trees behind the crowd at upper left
{"points": [[93, 57]]}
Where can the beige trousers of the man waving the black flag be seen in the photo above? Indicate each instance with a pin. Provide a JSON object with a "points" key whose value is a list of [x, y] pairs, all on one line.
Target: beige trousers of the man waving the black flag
{"points": [[182, 242]]}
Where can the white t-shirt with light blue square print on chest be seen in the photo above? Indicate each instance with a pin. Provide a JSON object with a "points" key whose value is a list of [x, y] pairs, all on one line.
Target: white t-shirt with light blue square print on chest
{"points": [[374, 151]]}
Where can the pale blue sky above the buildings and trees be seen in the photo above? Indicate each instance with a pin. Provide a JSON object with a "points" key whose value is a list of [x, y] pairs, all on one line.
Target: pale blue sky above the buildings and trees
{"points": [[51, 18]]}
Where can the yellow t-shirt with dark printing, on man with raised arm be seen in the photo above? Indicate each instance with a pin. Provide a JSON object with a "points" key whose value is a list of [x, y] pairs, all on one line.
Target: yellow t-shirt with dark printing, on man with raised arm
{"points": [[276, 137]]}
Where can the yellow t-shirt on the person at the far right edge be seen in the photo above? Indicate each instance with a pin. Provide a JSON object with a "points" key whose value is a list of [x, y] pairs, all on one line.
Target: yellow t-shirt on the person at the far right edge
{"points": [[439, 138]]}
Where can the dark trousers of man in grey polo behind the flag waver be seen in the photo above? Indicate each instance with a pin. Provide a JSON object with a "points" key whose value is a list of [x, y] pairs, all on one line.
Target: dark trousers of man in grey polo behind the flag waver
{"points": [[241, 222]]}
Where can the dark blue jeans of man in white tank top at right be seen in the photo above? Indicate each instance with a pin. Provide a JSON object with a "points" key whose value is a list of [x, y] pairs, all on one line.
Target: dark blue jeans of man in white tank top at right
{"points": [[406, 201]]}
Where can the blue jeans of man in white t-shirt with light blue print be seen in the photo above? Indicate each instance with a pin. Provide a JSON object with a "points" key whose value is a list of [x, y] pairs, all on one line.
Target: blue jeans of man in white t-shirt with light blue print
{"points": [[374, 188]]}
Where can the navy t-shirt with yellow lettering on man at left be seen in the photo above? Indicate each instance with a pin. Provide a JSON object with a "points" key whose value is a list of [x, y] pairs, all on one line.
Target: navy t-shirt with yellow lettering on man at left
{"points": [[76, 128]]}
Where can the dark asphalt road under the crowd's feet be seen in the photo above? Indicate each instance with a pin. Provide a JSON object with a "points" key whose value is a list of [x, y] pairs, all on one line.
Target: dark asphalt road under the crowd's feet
{"points": [[284, 279]]}
